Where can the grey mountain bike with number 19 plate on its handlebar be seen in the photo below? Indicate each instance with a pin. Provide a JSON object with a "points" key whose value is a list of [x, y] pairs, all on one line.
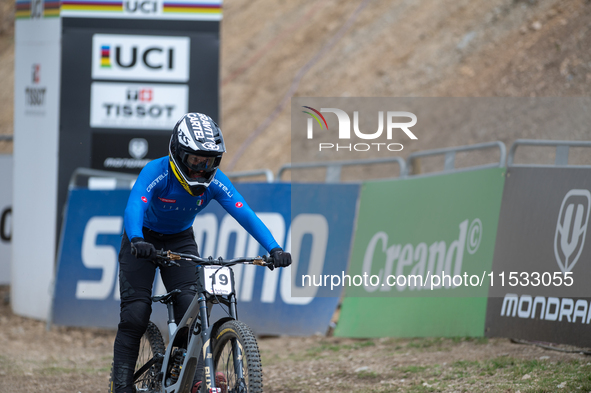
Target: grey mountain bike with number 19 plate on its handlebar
{"points": [[228, 346]]}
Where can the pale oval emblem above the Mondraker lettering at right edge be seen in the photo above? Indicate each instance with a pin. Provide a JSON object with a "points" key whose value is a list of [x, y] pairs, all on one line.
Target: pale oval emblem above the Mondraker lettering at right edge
{"points": [[571, 228]]}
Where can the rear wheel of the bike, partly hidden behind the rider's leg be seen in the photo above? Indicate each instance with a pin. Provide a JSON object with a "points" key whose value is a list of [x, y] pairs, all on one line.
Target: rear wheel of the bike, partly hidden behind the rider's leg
{"points": [[147, 367]]}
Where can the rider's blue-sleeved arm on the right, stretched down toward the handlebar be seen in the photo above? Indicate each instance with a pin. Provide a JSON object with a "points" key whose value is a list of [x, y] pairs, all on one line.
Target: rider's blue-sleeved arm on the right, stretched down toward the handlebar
{"points": [[225, 193]]}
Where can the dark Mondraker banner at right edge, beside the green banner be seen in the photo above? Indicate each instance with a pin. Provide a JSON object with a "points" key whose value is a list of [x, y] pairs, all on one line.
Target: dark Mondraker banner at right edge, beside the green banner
{"points": [[542, 257]]}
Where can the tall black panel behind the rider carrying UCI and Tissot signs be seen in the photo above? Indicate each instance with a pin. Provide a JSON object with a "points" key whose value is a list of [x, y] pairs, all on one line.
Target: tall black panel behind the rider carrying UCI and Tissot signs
{"points": [[125, 83]]}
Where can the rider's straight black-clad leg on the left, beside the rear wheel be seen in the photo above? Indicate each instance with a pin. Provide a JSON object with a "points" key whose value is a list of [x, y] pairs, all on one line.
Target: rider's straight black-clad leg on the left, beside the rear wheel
{"points": [[135, 280]]}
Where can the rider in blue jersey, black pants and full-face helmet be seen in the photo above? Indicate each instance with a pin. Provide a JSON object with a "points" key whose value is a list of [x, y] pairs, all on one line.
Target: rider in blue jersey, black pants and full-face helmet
{"points": [[167, 195]]}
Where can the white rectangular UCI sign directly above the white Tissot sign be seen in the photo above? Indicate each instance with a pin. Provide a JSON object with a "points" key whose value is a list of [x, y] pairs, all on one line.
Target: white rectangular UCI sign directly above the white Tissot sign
{"points": [[134, 57]]}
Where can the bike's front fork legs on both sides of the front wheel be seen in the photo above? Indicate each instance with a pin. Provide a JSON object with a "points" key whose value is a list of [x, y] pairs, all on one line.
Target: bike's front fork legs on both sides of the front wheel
{"points": [[208, 365]]}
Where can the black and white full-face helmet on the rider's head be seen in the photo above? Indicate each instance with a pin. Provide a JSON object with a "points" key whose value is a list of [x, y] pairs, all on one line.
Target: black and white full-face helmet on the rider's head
{"points": [[195, 151]]}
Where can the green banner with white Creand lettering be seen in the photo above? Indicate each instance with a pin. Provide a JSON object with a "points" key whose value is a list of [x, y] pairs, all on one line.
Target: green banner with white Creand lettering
{"points": [[422, 256]]}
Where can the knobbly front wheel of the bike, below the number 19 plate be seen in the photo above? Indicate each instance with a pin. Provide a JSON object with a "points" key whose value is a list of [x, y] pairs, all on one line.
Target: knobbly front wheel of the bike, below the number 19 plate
{"points": [[236, 356]]}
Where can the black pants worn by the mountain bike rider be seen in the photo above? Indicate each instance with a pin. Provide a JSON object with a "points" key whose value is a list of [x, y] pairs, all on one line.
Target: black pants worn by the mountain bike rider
{"points": [[136, 276]]}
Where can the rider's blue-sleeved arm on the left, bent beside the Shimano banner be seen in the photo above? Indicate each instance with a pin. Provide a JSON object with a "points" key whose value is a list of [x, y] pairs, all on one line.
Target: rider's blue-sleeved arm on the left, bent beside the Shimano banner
{"points": [[141, 195]]}
